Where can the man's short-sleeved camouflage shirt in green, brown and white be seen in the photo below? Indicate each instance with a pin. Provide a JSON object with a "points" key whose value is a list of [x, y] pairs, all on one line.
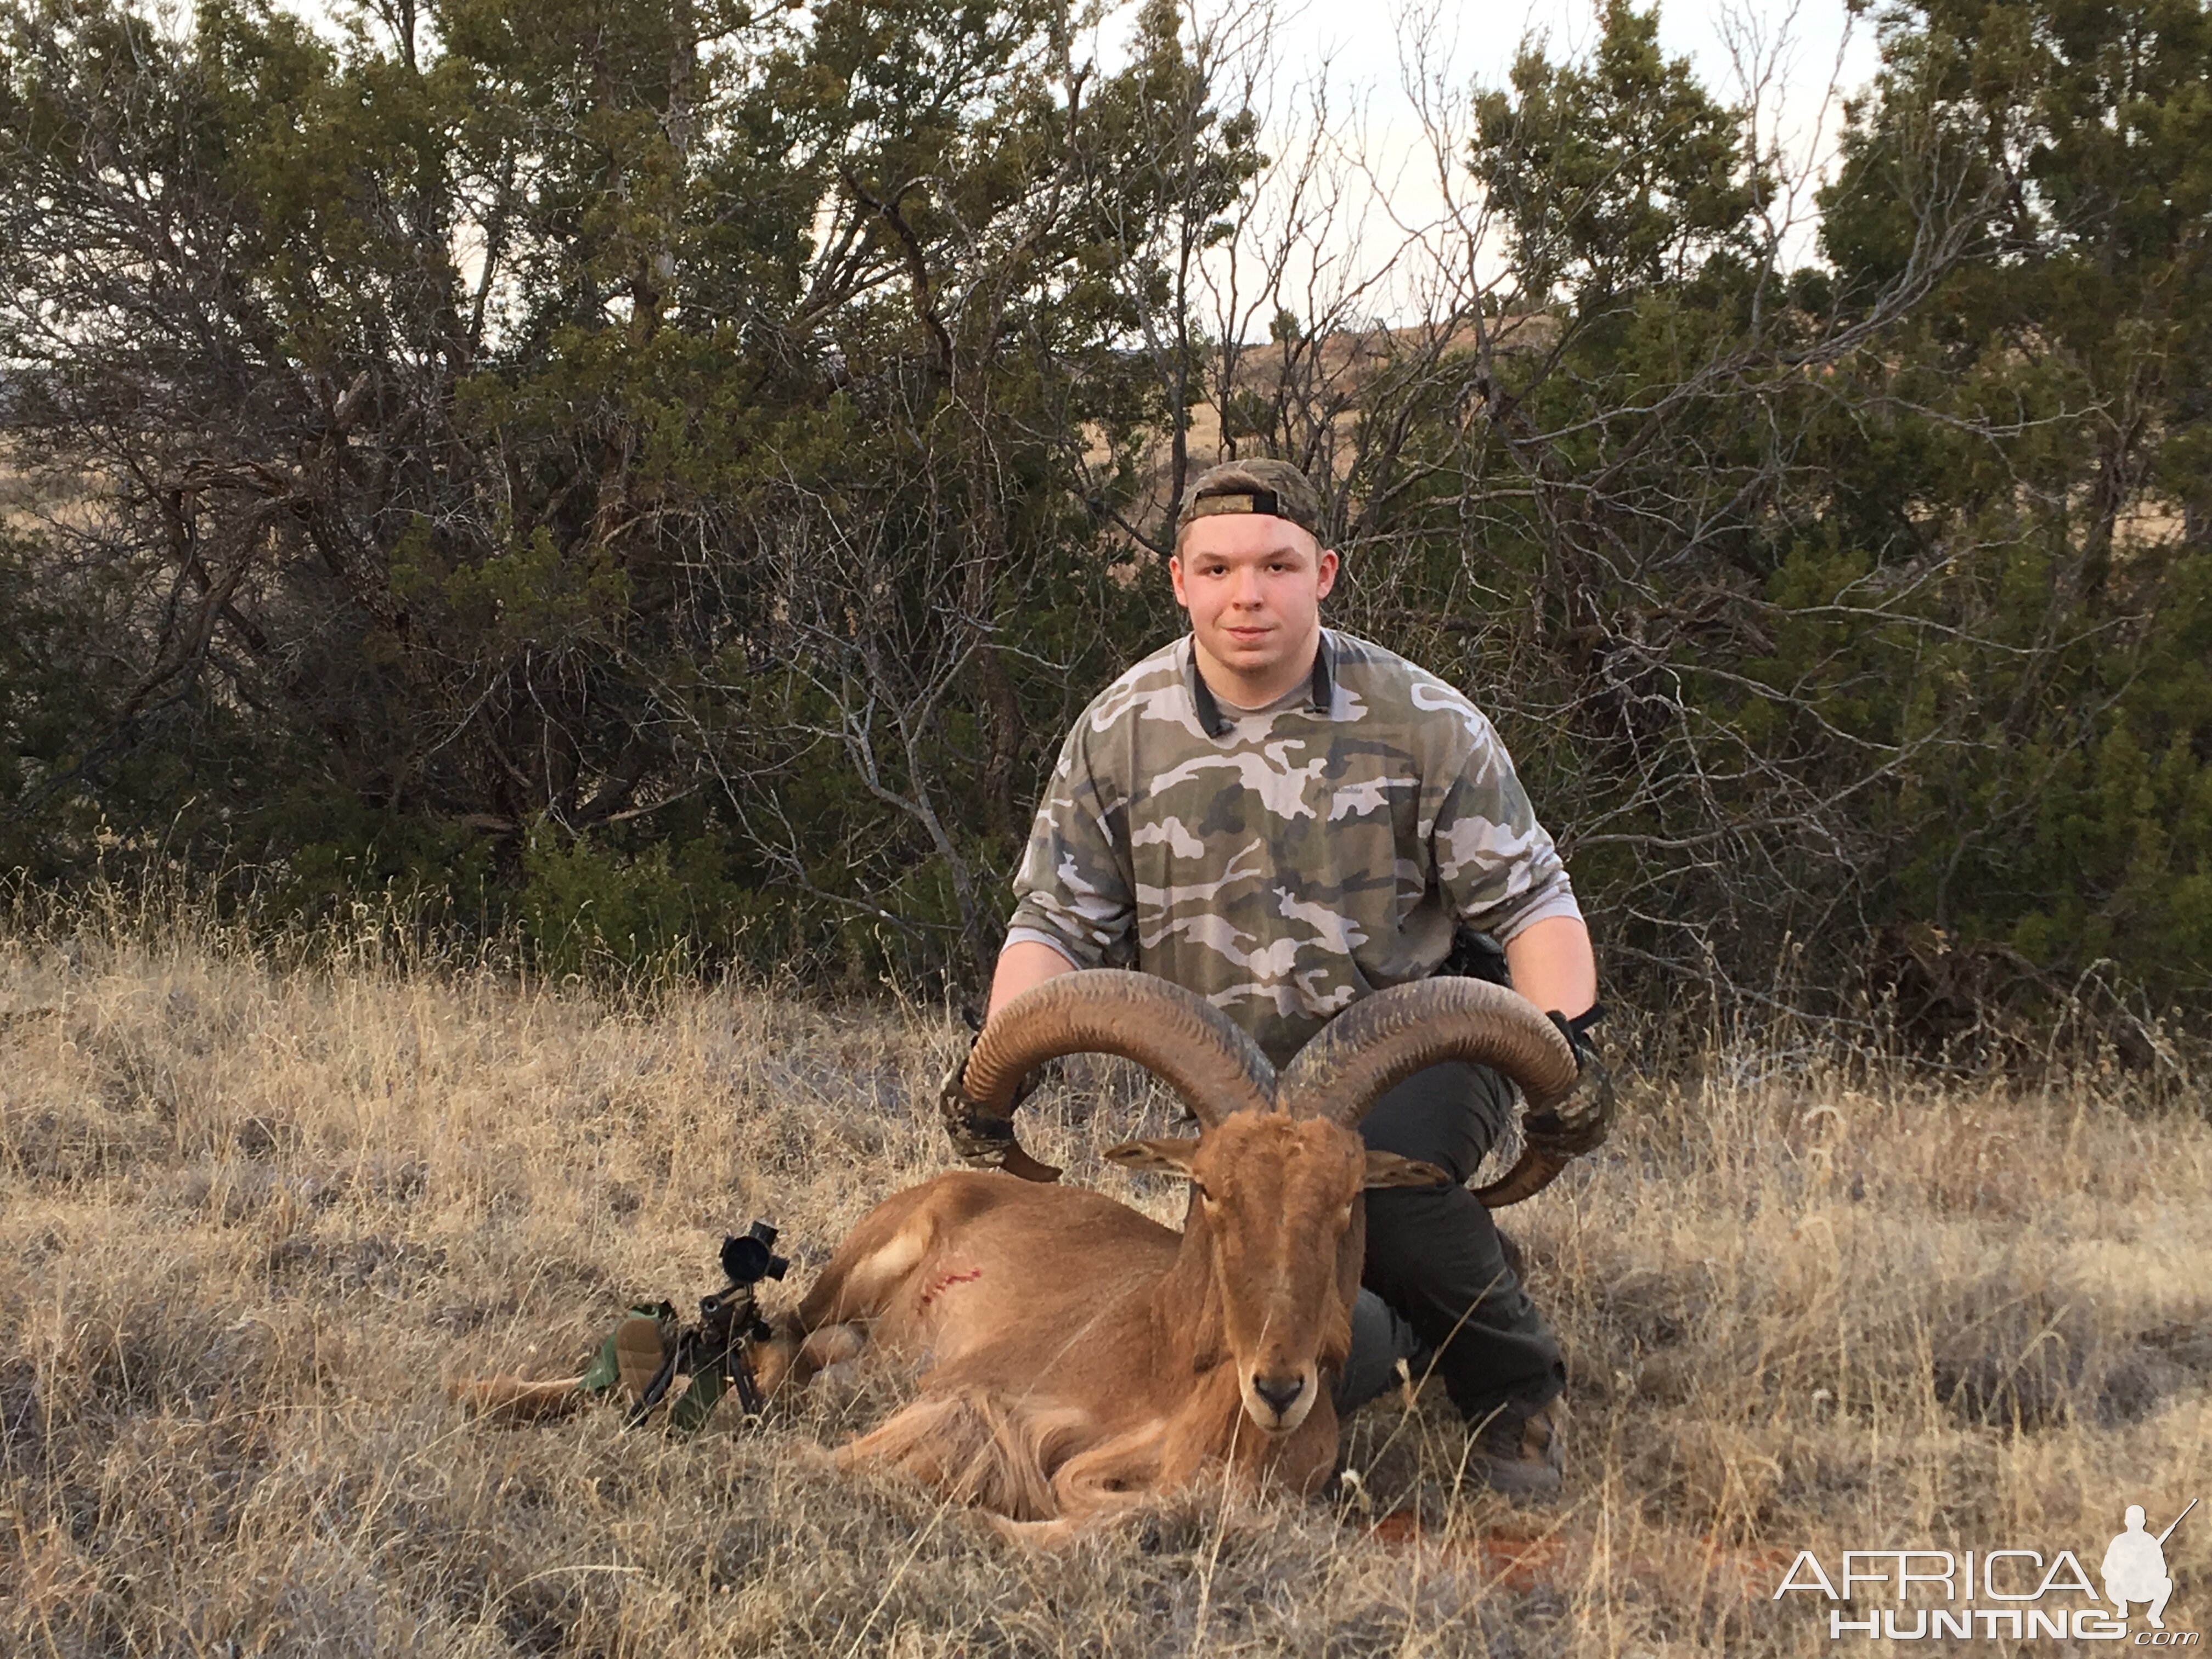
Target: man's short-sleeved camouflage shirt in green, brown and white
{"points": [[1284, 862]]}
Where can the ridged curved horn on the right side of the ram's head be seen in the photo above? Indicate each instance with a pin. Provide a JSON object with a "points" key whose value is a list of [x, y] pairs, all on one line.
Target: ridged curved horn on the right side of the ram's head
{"points": [[1386, 1039]]}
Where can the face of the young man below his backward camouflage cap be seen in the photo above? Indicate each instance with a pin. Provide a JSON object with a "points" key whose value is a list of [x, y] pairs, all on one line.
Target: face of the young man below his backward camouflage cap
{"points": [[1253, 587]]}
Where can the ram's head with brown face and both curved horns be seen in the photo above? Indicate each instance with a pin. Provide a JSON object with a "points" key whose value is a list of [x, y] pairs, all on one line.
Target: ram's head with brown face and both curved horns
{"points": [[1277, 1167]]}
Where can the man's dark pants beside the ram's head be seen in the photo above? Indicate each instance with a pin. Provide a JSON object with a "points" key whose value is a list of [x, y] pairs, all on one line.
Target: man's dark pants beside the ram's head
{"points": [[1434, 1255]]}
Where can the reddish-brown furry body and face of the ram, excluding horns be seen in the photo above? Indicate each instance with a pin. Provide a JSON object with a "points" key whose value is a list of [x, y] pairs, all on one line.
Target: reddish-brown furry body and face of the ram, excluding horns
{"points": [[1078, 1355]]}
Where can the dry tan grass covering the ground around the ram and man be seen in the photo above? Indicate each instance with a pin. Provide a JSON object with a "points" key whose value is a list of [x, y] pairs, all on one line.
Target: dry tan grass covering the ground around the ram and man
{"points": [[253, 1215]]}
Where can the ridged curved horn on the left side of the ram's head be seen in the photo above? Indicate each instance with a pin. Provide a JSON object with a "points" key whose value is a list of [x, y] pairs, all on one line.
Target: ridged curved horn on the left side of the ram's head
{"points": [[1176, 1034]]}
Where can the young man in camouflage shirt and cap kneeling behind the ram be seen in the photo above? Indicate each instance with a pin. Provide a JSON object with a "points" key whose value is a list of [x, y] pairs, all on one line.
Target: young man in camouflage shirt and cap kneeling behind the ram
{"points": [[1284, 820]]}
